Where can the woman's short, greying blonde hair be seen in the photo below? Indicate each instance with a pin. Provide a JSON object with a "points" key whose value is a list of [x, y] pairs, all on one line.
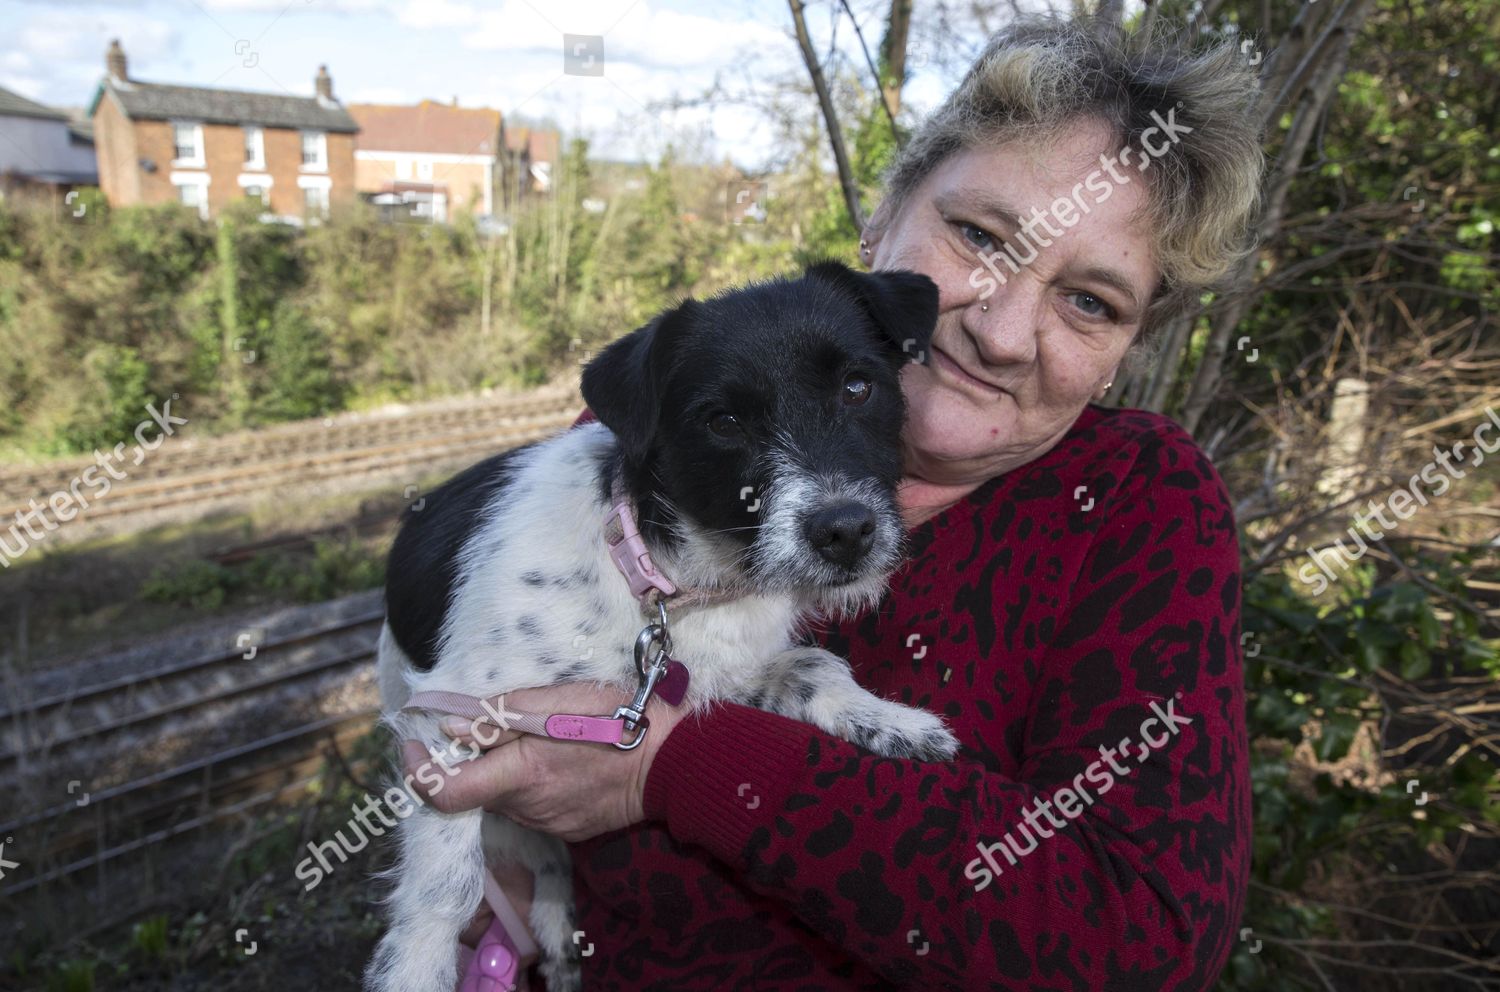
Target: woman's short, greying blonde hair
{"points": [[1043, 76]]}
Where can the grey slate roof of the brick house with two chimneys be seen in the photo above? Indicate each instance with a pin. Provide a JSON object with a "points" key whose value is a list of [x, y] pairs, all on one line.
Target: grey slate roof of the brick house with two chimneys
{"points": [[157, 101]]}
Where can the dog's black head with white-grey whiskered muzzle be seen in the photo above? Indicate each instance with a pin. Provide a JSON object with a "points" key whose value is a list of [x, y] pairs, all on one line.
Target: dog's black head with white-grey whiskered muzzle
{"points": [[760, 430]]}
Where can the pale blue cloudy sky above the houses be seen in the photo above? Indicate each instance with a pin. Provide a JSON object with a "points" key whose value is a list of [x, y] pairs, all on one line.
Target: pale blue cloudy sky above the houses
{"points": [[497, 53]]}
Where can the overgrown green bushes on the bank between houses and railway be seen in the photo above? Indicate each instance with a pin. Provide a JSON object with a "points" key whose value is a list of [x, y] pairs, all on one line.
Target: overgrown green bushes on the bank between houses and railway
{"points": [[254, 323]]}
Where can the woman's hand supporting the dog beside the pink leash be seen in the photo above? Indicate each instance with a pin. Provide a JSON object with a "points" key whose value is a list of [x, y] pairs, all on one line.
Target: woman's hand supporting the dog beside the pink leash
{"points": [[571, 790]]}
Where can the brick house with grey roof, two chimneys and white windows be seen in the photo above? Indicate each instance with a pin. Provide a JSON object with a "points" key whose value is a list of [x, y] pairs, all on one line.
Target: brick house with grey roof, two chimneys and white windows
{"points": [[209, 148]]}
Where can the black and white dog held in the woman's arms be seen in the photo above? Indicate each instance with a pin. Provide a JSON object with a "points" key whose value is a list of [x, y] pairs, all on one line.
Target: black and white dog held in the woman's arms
{"points": [[758, 439]]}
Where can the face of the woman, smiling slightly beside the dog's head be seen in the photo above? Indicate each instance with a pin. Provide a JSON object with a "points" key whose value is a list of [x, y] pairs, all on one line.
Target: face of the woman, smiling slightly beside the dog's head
{"points": [[1015, 364]]}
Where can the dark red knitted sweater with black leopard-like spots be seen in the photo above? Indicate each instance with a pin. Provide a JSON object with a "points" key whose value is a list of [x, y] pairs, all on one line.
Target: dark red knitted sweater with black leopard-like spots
{"points": [[1076, 622]]}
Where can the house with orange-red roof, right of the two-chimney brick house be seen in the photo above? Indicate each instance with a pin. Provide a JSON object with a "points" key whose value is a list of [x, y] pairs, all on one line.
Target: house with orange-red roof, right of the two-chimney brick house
{"points": [[430, 160]]}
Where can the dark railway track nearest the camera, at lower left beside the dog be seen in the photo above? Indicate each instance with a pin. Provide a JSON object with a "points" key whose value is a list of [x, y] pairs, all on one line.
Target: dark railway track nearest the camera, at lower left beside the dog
{"points": [[118, 778]]}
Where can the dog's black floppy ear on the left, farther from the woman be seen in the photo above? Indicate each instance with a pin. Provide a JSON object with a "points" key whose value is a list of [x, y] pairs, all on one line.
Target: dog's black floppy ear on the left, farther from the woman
{"points": [[623, 385]]}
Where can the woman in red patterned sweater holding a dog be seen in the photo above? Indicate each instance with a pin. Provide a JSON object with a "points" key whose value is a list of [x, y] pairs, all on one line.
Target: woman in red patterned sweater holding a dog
{"points": [[1072, 604]]}
